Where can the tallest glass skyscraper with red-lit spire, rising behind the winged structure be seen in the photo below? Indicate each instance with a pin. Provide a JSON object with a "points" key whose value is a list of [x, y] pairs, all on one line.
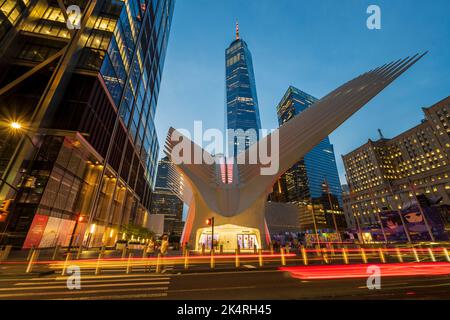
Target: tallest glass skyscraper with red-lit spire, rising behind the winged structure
{"points": [[242, 102]]}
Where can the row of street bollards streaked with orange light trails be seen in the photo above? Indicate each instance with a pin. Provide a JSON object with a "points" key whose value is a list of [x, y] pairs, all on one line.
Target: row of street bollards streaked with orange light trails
{"points": [[128, 261]]}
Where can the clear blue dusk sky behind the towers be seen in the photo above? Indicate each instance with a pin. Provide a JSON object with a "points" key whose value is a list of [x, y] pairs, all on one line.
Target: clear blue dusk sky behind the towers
{"points": [[314, 45]]}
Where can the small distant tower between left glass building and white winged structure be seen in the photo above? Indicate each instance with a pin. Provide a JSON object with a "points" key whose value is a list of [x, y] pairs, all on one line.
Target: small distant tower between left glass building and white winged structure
{"points": [[166, 202]]}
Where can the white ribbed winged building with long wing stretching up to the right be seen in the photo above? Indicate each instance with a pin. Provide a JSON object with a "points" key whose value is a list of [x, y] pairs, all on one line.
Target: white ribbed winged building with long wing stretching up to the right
{"points": [[238, 202]]}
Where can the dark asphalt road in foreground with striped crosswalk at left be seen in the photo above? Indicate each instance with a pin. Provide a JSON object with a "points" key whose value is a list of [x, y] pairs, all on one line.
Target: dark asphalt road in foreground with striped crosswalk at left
{"points": [[242, 285]]}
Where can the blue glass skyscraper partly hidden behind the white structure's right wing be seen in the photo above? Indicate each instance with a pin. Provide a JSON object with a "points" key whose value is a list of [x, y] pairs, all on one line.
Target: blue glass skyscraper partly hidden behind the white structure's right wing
{"points": [[313, 176]]}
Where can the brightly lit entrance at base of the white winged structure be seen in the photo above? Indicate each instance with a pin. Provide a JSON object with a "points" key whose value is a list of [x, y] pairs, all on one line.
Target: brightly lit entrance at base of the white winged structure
{"points": [[229, 236]]}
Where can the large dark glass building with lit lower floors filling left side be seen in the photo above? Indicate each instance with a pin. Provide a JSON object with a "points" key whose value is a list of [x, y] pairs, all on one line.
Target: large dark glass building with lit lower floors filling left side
{"points": [[95, 91]]}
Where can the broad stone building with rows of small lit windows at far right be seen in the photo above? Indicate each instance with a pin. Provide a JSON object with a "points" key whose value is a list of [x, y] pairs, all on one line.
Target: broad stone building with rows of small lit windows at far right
{"points": [[391, 173]]}
